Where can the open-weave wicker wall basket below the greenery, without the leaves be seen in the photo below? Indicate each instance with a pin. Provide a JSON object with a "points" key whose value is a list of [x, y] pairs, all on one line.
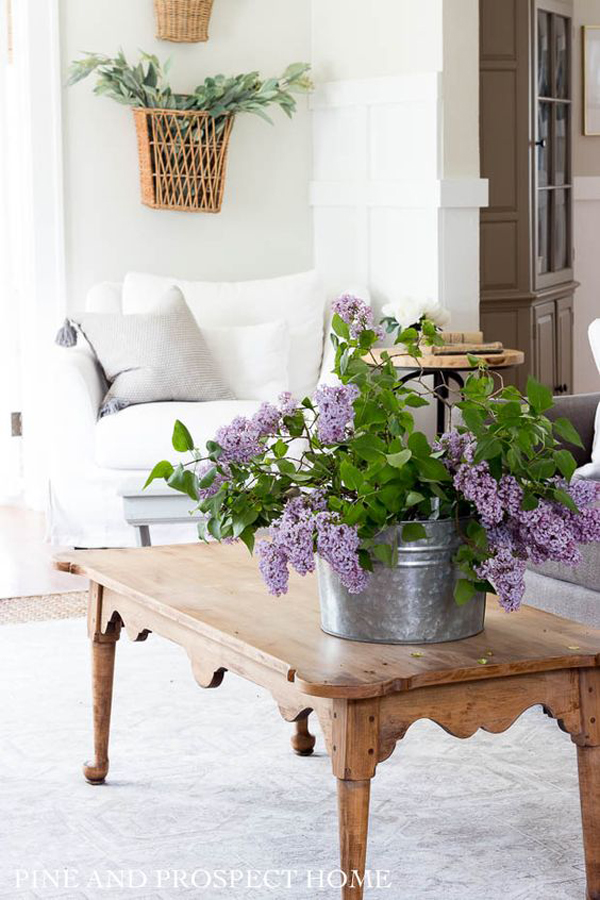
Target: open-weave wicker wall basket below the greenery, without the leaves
{"points": [[183, 157]]}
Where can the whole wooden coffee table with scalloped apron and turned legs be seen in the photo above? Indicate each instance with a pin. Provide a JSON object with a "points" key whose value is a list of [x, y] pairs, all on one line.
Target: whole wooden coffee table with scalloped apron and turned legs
{"points": [[210, 599]]}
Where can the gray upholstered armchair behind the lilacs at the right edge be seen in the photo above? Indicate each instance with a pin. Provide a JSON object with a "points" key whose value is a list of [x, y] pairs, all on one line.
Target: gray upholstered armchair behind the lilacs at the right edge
{"points": [[574, 593]]}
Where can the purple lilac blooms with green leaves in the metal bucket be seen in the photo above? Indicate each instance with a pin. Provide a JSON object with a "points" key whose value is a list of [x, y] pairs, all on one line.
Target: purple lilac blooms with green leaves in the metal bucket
{"points": [[330, 474]]}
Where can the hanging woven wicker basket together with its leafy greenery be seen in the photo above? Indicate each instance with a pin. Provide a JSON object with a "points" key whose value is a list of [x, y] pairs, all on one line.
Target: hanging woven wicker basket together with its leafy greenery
{"points": [[183, 138]]}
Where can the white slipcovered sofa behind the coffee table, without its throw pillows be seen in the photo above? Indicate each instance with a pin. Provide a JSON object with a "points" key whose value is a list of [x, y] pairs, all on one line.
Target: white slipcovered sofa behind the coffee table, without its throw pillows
{"points": [[92, 459]]}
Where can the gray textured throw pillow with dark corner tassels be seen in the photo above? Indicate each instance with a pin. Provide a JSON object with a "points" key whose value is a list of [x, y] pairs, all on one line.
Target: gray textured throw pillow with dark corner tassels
{"points": [[157, 356]]}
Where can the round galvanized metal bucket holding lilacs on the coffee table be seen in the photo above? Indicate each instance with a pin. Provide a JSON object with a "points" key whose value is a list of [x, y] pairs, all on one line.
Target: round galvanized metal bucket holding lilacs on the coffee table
{"points": [[411, 603]]}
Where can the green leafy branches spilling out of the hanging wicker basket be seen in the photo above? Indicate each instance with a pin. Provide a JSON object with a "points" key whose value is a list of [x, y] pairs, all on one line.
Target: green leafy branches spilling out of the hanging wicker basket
{"points": [[146, 85]]}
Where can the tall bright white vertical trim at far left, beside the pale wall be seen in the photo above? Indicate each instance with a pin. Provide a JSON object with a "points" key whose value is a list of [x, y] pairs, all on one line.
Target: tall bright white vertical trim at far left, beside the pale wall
{"points": [[39, 270]]}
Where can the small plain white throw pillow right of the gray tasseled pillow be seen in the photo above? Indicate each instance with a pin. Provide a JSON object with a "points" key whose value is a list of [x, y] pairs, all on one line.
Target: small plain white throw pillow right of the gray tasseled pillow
{"points": [[253, 359]]}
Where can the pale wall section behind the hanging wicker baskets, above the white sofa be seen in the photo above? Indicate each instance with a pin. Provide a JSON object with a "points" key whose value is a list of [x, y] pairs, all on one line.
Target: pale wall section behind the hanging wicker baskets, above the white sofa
{"points": [[265, 226]]}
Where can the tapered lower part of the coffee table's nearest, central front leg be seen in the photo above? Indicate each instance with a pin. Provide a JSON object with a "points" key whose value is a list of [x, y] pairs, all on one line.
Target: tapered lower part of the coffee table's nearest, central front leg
{"points": [[353, 811]]}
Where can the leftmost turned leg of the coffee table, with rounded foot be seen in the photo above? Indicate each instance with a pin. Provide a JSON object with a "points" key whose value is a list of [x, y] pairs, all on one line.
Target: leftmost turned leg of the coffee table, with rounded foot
{"points": [[103, 667]]}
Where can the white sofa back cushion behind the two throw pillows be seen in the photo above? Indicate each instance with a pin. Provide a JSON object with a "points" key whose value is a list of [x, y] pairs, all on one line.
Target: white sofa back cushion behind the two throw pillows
{"points": [[297, 299]]}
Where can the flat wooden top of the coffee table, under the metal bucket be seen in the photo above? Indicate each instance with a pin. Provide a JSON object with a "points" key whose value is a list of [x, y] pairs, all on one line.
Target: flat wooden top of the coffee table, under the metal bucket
{"points": [[217, 592]]}
